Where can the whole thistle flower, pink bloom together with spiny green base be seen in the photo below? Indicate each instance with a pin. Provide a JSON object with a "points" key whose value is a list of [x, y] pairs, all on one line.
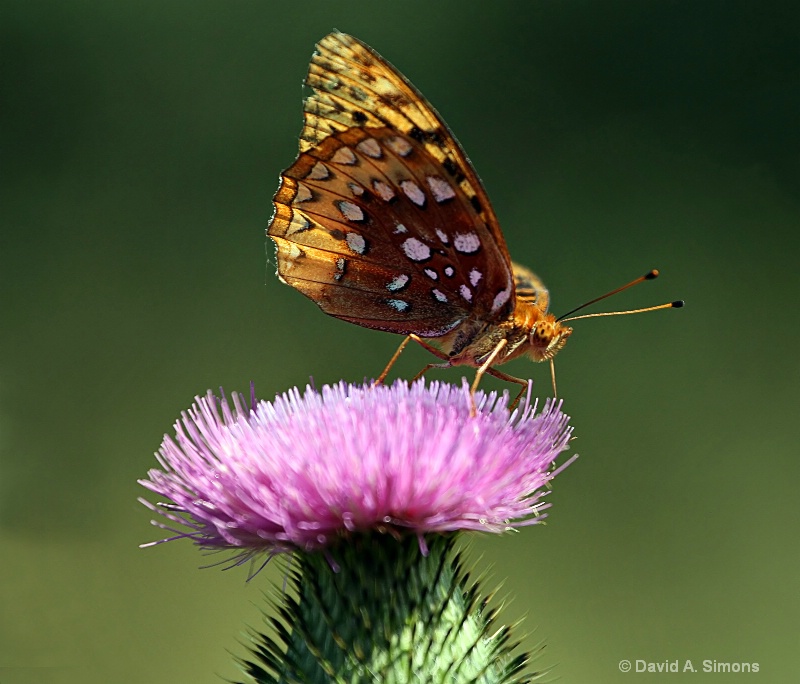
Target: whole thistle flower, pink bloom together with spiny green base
{"points": [[334, 471]]}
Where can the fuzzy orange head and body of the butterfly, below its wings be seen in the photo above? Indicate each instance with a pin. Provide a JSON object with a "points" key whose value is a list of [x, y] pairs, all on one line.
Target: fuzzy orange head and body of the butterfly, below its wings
{"points": [[527, 331]]}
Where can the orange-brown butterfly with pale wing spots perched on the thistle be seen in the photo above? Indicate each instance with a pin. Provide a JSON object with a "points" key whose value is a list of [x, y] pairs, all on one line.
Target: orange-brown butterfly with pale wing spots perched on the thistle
{"points": [[382, 221]]}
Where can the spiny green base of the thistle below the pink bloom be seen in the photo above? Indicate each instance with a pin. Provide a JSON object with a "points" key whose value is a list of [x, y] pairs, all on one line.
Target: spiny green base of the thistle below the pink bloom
{"points": [[387, 613]]}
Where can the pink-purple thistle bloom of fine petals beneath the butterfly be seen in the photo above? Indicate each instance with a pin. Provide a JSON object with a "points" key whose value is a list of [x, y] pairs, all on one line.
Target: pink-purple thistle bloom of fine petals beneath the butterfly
{"points": [[301, 471]]}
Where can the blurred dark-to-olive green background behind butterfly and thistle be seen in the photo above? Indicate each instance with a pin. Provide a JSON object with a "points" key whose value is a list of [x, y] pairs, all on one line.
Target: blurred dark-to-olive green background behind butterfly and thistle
{"points": [[141, 145]]}
